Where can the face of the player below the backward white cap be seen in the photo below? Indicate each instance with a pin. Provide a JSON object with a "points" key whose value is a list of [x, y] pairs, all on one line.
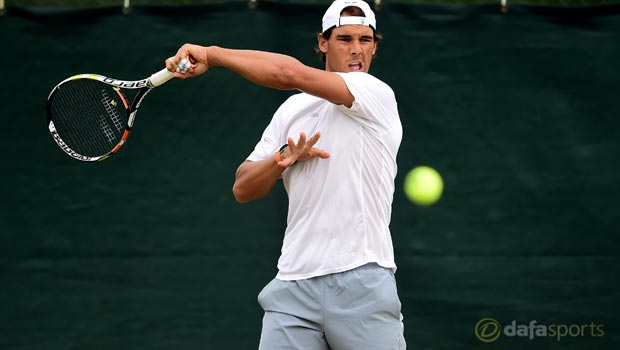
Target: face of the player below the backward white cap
{"points": [[349, 49]]}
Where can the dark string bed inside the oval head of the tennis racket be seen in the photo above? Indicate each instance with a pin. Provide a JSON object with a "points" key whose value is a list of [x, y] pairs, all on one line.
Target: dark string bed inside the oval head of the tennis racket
{"points": [[89, 116]]}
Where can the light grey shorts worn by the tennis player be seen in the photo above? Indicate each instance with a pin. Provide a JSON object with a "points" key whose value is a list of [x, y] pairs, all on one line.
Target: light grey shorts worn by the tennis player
{"points": [[352, 310]]}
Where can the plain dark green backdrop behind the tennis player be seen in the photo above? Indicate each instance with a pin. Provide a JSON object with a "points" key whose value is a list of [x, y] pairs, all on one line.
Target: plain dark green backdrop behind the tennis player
{"points": [[519, 112]]}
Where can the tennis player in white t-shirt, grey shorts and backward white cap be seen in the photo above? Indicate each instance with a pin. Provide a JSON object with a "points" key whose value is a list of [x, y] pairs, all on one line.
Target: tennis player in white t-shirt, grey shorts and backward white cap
{"points": [[334, 146]]}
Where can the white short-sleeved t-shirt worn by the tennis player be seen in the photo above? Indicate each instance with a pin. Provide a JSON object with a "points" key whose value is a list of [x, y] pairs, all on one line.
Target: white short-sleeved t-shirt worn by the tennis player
{"points": [[339, 208]]}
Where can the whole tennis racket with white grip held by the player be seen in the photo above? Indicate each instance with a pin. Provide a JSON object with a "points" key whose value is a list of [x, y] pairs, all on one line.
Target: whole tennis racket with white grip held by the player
{"points": [[89, 116]]}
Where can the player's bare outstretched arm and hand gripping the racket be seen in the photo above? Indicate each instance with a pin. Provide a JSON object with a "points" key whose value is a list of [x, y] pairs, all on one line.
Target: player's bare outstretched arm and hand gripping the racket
{"points": [[267, 69]]}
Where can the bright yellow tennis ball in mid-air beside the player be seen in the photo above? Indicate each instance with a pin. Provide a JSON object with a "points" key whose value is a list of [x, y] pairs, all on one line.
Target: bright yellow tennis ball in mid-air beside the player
{"points": [[423, 185]]}
